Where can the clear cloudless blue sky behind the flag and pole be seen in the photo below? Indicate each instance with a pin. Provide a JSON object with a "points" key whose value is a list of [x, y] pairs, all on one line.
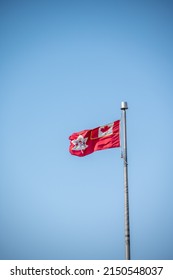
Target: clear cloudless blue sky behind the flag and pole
{"points": [[66, 66]]}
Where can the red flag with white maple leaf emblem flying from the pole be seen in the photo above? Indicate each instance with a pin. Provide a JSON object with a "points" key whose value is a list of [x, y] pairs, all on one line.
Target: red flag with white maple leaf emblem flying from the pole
{"points": [[104, 137]]}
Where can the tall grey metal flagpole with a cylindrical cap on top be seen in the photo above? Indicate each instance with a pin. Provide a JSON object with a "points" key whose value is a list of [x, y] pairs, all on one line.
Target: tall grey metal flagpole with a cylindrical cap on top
{"points": [[124, 107]]}
